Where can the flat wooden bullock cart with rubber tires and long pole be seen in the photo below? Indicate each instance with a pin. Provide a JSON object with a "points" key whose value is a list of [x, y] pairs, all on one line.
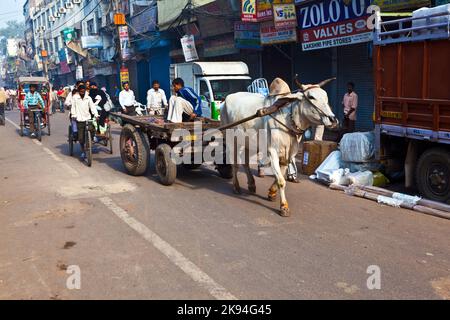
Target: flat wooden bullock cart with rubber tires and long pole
{"points": [[142, 134]]}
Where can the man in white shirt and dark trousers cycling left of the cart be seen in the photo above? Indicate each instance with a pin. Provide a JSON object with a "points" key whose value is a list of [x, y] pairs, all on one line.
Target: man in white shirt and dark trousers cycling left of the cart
{"points": [[83, 109]]}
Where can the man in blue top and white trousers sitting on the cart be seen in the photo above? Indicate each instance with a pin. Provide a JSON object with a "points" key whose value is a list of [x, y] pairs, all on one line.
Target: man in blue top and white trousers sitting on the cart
{"points": [[185, 105]]}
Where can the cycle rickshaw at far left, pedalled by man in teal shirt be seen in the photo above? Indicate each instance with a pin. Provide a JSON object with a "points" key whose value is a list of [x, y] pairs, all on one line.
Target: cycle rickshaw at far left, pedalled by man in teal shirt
{"points": [[41, 115]]}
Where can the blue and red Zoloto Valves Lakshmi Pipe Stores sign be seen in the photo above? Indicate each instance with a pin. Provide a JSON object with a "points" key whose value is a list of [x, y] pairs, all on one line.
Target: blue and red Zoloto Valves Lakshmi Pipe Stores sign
{"points": [[332, 23]]}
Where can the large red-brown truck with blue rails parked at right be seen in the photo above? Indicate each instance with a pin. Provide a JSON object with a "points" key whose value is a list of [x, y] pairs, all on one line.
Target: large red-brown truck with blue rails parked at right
{"points": [[412, 113]]}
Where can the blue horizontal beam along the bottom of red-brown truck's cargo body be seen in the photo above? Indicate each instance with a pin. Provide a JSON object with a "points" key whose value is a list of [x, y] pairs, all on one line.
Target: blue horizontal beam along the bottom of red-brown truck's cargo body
{"points": [[416, 133]]}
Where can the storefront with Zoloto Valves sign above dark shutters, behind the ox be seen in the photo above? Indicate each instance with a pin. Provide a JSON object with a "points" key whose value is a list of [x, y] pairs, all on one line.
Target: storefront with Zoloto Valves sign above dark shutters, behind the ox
{"points": [[334, 40]]}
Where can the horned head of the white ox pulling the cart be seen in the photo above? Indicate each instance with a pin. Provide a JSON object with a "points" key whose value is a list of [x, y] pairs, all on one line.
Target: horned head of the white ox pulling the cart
{"points": [[314, 106]]}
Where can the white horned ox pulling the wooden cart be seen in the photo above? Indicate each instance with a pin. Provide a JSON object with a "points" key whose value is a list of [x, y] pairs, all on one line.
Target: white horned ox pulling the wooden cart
{"points": [[300, 114]]}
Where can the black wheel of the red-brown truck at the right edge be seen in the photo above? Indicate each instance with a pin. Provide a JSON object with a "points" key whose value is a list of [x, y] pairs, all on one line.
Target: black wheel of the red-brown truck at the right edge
{"points": [[433, 174]]}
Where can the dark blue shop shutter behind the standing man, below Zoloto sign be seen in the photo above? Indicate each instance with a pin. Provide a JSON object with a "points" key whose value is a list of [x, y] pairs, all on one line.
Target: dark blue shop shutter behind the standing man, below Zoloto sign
{"points": [[355, 64]]}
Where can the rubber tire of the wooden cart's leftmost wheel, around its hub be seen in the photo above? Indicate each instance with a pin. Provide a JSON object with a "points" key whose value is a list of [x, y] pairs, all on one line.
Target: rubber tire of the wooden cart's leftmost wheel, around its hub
{"points": [[140, 165]]}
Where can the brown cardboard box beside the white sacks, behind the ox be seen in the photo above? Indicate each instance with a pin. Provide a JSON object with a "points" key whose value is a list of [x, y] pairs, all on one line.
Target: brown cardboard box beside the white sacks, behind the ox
{"points": [[314, 153]]}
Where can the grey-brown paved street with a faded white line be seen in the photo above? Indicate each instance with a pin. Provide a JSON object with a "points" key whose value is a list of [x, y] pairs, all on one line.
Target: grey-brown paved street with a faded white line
{"points": [[135, 239]]}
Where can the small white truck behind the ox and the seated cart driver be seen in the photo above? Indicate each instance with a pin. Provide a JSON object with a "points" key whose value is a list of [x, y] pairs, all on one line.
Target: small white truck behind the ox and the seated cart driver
{"points": [[213, 81]]}
